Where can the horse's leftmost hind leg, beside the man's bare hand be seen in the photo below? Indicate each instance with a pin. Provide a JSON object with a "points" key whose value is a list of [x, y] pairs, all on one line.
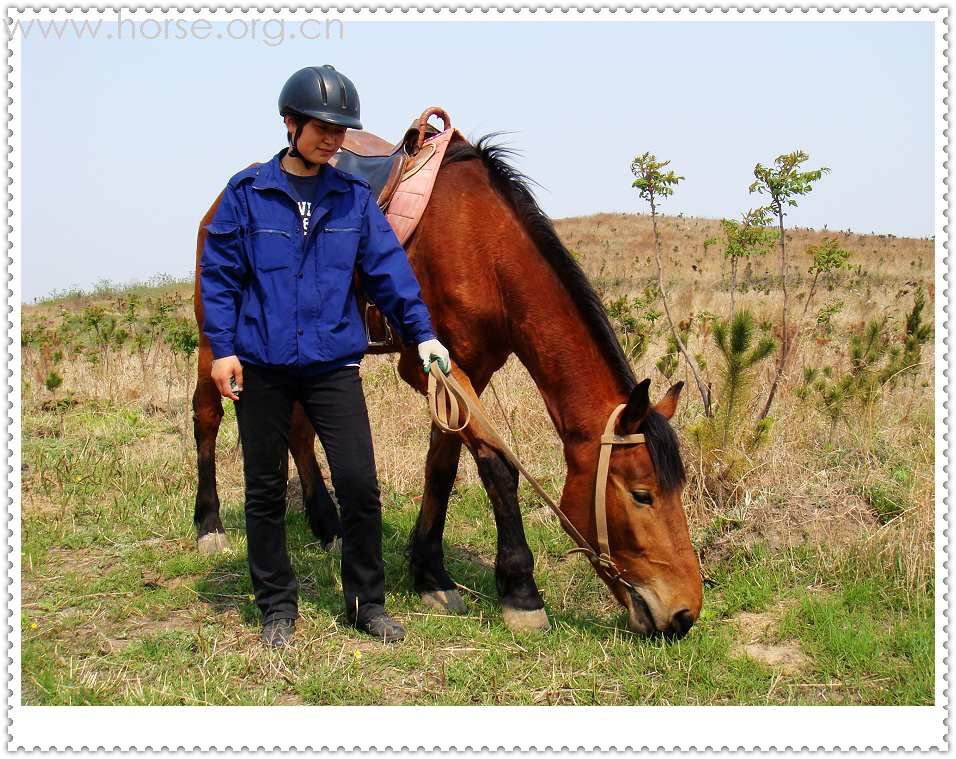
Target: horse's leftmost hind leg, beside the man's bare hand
{"points": [[207, 415]]}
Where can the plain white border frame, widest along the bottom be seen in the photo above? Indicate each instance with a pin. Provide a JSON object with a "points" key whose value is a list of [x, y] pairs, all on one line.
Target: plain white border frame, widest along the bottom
{"points": [[479, 728]]}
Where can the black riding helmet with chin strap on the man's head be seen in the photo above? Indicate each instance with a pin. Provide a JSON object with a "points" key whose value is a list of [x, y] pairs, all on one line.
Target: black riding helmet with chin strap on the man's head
{"points": [[319, 92]]}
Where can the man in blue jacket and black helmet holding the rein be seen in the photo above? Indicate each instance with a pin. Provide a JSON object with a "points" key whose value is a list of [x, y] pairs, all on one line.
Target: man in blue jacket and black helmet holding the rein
{"points": [[283, 322]]}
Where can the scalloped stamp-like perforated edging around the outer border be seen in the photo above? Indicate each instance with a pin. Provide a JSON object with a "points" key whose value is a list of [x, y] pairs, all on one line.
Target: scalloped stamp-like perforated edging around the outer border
{"points": [[943, 402]]}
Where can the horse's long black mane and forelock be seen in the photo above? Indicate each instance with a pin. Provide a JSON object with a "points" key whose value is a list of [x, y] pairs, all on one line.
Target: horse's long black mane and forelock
{"points": [[514, 188]]}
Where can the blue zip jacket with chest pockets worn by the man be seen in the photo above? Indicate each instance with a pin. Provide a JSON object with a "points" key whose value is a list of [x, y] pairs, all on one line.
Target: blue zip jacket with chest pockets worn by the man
{"points": [[275, 296]]}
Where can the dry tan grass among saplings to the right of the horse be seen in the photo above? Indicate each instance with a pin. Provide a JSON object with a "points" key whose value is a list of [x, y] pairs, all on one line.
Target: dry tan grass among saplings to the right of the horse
{"points": [[793, 493]]}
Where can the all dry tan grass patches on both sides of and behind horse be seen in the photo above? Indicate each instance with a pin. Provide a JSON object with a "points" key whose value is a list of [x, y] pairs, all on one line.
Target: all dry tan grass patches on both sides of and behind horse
{"points": [[795, 490]]}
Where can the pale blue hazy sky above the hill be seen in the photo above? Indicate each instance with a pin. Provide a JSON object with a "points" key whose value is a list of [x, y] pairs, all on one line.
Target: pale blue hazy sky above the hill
{"points": [[127, 142]]}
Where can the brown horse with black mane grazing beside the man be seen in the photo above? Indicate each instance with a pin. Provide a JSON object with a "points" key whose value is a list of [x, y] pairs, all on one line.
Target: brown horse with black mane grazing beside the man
{"points": [[497, 281]]}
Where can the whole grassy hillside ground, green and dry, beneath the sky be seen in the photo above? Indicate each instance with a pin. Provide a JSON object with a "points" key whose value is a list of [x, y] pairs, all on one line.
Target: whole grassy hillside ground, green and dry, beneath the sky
{"points": [[817, 552]]}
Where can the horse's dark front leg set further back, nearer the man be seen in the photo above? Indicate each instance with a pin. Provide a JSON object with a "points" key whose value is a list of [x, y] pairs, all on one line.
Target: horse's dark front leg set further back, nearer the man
{"points": [[425, 555]]}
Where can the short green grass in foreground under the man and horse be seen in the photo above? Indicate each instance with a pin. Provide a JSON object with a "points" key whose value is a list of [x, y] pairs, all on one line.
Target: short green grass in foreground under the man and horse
{"points": [[119, 608]]}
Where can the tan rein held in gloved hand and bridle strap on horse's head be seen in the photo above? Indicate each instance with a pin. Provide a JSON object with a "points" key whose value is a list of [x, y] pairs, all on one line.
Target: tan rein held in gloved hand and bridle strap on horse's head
{"points": [[452, 409]]}
